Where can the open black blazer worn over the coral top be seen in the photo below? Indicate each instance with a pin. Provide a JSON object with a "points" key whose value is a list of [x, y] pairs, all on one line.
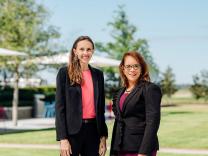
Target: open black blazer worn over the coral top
{"points": [[69, 104]]}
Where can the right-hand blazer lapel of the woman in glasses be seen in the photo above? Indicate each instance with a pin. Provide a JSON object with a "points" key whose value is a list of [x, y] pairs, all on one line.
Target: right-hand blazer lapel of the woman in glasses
{"points": [[136, 91]]}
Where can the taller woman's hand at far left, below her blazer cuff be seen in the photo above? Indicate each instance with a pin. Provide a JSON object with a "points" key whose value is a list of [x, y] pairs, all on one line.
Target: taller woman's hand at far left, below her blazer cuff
{"points": [[65, 148]]}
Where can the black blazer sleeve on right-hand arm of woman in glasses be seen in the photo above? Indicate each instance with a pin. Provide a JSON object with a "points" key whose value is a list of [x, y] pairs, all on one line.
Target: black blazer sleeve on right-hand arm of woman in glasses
{"points": [[152, 95]]}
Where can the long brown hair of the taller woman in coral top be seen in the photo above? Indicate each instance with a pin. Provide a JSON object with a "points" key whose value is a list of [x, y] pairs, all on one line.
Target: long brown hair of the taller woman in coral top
{"points": [[74, 67]]}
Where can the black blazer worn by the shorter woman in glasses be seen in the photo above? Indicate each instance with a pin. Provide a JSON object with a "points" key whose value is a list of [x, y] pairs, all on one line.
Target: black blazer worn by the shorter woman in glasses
{"points": [[135, 128]]}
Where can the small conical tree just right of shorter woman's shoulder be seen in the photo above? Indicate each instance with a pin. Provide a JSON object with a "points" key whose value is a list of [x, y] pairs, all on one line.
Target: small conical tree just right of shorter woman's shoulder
{"points": [[168, 83]]}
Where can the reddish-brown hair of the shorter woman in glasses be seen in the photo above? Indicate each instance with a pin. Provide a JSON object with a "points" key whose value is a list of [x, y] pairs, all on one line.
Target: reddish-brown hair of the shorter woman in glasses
{"points": [[144, 67]]}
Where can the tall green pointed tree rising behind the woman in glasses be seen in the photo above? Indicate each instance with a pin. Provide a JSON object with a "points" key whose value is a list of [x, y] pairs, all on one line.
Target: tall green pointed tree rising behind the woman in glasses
{"points": [[123, 40]]}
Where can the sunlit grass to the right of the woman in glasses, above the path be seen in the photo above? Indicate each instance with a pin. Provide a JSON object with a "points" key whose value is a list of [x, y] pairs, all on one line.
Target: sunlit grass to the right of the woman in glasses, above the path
{"points": [[184, 127]]}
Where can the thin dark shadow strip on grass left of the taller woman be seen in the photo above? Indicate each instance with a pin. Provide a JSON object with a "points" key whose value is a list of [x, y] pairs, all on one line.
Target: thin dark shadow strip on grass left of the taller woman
{"points": [[4, 131]]}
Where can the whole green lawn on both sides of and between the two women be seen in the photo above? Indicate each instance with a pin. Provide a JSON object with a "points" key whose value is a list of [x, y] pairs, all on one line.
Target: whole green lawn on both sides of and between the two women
{"points": [[182, 126]]}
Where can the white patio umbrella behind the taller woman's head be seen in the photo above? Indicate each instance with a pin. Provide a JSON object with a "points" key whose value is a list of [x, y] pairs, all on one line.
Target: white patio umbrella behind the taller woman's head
{"points": [[63, 58]]}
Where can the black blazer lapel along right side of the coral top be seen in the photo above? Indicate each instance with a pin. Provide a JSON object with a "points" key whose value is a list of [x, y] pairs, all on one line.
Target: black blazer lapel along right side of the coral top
{"points": [[95, 86]]}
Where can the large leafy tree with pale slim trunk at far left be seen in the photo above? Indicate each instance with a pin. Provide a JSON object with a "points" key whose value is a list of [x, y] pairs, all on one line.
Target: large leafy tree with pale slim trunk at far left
{"points": [[23, 28]]}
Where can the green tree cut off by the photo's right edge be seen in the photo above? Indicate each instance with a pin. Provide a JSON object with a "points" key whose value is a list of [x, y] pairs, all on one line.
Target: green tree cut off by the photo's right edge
{"points": [[200, 85]]}
